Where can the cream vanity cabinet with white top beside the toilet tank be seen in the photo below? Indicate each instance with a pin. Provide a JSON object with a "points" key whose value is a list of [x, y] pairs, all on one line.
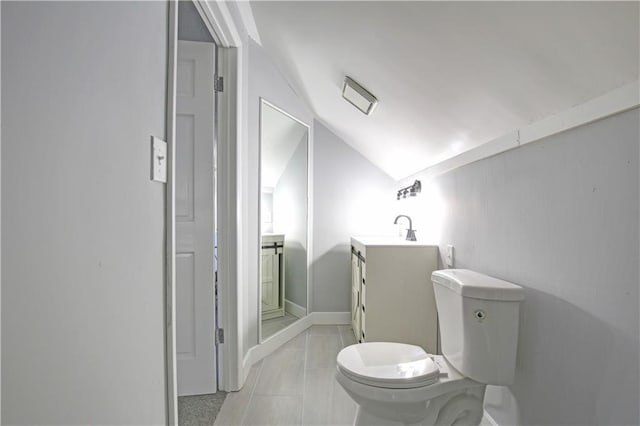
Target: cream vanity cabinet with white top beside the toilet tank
{"points": [[392, 297]]}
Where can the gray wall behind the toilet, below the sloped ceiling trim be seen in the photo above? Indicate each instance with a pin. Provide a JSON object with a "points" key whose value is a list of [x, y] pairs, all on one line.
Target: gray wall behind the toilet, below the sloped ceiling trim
{"points": [[560, 218]]}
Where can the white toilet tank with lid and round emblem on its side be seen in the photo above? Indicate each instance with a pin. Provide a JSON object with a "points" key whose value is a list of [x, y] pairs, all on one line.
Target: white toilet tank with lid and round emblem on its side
{"points": [[478, 317]]}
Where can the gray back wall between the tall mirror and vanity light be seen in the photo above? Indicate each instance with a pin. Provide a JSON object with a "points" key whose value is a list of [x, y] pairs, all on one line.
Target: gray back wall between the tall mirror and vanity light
{"points": [[351, 197]]}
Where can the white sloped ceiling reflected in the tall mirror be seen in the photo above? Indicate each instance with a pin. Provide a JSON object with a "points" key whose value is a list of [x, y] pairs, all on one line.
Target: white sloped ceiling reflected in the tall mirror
{"points": [[280, 135]]}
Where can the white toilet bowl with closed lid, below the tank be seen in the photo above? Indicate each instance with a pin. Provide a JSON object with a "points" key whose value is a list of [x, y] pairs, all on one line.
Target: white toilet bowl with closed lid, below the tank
{"points": [[400, 384]]}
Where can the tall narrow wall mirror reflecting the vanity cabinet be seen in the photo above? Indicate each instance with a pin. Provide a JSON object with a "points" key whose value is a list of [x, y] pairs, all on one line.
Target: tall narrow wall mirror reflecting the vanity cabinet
{"points": [[283, 219]]}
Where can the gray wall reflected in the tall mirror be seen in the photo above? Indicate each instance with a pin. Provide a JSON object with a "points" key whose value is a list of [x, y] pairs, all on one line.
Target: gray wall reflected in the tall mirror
{"points": [[290, 218]]}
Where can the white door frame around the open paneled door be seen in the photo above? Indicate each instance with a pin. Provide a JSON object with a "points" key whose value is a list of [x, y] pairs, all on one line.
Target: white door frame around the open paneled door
{"points": [[218, 20]]}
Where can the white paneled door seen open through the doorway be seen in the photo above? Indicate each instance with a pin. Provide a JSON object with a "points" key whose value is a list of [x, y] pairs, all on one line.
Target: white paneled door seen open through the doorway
{"points": [[195, 298]]}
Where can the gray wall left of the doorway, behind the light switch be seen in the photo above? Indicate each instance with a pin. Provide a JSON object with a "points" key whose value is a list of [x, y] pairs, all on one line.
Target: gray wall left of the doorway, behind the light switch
{"points": [[83, 89]]}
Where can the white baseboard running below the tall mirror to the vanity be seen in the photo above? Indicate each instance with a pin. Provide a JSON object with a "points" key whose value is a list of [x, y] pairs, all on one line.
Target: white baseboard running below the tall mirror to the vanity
{"points": [[266, 348]]}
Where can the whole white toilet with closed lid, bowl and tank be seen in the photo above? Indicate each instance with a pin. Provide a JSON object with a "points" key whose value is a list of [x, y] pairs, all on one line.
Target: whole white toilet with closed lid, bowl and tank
{"points": [[400, 384]]}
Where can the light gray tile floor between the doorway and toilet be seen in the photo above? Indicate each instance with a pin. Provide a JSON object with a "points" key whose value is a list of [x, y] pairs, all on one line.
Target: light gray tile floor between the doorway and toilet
{"points": [[295, 385]]}
